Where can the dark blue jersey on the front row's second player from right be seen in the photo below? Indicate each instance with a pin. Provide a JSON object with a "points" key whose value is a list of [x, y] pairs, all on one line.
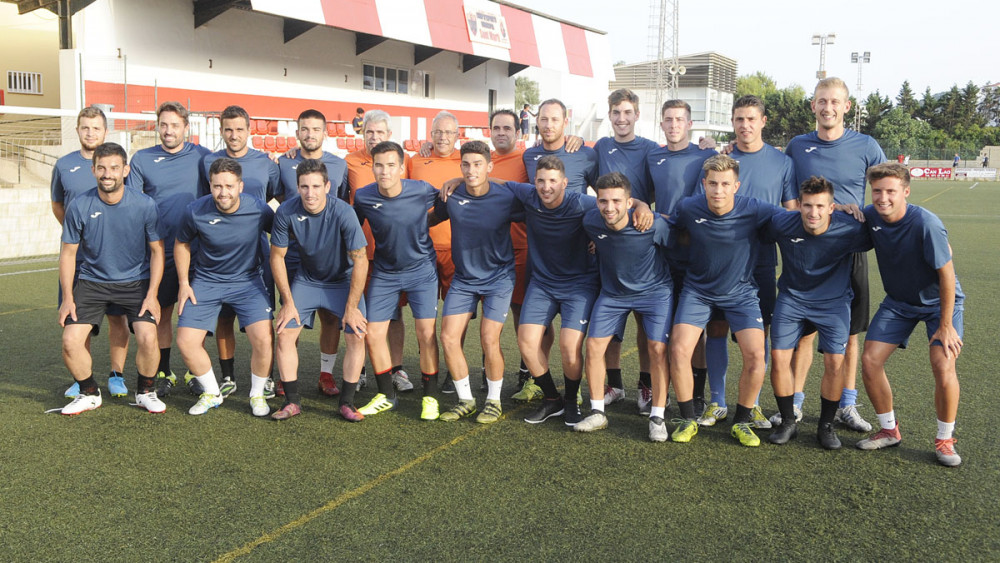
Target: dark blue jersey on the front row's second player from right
{"points": [[817, 268]]}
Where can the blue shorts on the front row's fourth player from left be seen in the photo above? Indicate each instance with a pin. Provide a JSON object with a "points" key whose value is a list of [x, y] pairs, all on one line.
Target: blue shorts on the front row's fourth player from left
{"points": [[420, 286]]}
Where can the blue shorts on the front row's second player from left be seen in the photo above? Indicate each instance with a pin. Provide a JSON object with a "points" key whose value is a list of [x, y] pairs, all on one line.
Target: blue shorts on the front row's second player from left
{"points": [[247, 299]]}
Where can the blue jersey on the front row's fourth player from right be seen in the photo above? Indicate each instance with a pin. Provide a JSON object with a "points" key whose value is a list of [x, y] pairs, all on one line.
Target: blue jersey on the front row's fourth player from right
{"points": [[631, 262]]}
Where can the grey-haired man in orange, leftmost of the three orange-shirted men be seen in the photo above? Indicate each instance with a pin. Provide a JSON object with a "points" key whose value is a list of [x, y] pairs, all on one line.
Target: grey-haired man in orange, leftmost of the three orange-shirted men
{"points": [[376, 129]]}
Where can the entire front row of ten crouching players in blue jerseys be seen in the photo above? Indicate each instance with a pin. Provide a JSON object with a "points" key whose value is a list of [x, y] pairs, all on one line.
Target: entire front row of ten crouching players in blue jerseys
{"points": [[626, 273]]}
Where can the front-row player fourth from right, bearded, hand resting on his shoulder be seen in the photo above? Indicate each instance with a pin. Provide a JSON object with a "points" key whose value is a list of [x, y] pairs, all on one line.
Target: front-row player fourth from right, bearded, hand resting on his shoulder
{"points": [[634, 278]]}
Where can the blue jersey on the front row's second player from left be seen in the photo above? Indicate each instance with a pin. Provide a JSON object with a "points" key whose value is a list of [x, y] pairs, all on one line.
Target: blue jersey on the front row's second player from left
{"points": [[229, 247]]}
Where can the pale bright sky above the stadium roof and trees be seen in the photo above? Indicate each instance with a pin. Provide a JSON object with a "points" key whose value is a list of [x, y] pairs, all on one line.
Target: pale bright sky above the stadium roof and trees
{"points": [[934, 44]]}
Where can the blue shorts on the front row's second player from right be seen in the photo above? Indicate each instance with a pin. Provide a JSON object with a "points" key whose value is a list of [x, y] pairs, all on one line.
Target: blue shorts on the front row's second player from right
{"points": [[793, 318]]}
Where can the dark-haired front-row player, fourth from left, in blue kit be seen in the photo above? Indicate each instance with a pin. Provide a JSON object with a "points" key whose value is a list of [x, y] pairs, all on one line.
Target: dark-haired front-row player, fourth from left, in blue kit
{"points": [[397, 212]]}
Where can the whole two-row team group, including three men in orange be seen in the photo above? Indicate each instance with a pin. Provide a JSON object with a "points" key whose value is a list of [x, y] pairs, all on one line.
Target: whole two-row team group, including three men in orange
{"points": [[705, 259]]}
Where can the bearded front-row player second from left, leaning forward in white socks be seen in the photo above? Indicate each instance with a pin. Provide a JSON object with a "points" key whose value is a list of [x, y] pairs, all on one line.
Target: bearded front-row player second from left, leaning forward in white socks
{"points": [[225, 269]]}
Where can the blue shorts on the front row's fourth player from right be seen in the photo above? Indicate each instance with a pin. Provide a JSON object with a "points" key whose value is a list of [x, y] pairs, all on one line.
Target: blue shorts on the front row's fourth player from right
{"points": [[654, 307]]}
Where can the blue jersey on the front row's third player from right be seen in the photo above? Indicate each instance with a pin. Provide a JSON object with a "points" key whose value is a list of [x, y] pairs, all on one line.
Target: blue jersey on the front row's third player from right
{"points": [[723, 248]]}
